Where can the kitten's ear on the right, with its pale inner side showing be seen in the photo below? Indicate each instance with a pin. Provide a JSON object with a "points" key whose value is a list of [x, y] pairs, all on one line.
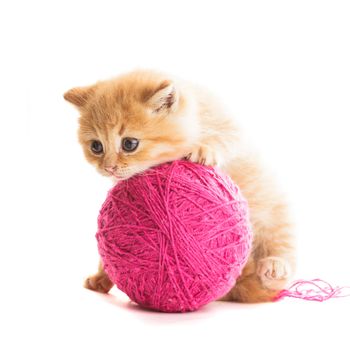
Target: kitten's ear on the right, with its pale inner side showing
{"points": [[165, 98]]}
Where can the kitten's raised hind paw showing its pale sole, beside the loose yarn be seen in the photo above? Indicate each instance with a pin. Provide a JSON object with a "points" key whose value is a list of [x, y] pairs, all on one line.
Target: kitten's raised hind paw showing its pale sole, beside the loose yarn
{"points": [[274, 272]]}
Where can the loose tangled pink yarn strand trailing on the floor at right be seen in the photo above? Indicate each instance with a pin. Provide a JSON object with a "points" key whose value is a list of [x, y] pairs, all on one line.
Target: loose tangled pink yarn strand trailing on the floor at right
{"points": [[313, 290]]}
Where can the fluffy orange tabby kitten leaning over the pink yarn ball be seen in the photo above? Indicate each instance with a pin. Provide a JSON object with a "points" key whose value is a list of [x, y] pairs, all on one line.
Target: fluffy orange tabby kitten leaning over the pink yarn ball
{"points": [[144, 118]]}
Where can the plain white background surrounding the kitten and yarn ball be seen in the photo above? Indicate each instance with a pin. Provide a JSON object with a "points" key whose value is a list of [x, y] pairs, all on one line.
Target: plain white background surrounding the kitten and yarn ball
{"points": [[281, 67]]}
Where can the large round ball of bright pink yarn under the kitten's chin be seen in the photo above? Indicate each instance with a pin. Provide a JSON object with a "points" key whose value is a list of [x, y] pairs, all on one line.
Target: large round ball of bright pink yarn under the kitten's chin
{"points": [[175, 237]]}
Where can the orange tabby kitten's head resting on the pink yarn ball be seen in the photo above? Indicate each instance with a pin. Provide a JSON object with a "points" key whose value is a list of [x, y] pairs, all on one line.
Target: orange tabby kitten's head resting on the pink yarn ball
{"points": [[134, 122]]}
